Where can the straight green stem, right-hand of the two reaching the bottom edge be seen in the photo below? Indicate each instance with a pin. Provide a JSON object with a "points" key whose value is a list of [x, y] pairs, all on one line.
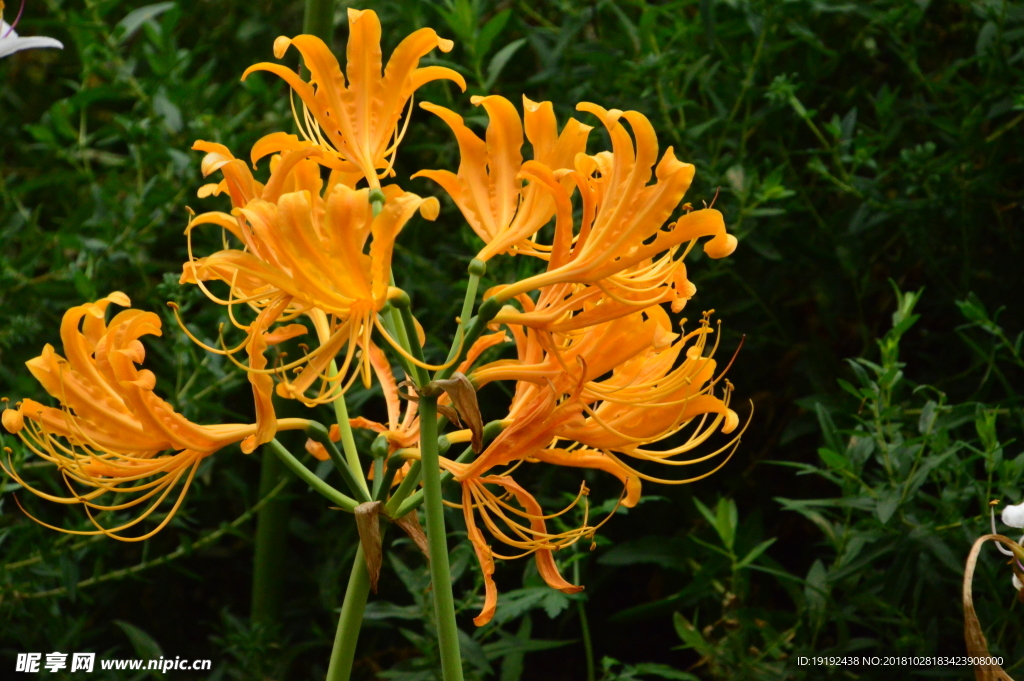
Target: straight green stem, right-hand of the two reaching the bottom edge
{"points": [[441, 574]]}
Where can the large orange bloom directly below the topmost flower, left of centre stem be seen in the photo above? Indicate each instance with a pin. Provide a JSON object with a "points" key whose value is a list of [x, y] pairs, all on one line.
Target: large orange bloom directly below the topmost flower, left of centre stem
{"points": [[304, 253]]}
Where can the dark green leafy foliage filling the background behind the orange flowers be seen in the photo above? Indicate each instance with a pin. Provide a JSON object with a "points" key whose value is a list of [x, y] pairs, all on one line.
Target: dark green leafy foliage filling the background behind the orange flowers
{"points": [[852, 144]]}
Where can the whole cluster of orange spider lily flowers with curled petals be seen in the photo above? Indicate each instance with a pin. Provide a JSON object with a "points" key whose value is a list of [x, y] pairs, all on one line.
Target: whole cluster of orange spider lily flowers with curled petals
{"points": [[603, 377]]}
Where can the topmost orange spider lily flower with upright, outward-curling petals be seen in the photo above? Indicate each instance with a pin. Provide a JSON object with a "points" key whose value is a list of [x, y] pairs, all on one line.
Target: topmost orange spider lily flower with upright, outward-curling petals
{"points": [[358, 123]]}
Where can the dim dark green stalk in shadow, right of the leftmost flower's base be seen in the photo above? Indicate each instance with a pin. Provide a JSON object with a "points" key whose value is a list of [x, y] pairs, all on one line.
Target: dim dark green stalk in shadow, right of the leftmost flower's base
{"points": [[272, 538]]}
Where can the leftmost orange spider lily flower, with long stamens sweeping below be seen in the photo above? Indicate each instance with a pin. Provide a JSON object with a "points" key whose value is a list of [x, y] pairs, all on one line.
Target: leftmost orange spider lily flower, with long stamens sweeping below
{"points": [[112, 429]]}
